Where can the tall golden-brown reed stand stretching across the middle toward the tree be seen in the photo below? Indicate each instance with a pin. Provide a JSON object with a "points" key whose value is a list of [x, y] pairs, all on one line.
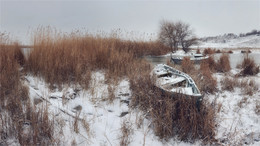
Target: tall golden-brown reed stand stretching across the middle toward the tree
{"points": [[68, 58]]}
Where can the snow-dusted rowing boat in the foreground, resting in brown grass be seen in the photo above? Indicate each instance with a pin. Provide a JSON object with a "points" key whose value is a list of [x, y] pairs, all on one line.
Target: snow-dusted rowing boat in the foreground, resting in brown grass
{"points": [[174, 81]]}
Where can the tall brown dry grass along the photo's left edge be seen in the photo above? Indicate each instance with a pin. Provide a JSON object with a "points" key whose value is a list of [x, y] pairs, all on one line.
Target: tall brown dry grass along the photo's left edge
{"points": [[18, 119]]}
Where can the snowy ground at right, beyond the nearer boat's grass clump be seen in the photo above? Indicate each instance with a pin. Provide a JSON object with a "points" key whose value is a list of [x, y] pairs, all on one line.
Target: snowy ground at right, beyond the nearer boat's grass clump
{"points": [[238, 119]]}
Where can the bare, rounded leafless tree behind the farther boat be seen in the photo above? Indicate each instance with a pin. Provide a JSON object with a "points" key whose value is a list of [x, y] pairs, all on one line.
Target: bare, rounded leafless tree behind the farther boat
{"points": [[177, 34]]}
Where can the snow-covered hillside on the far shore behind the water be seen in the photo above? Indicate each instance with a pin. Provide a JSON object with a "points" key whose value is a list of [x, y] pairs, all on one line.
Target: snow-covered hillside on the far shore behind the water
{"points": [[226, 41]]}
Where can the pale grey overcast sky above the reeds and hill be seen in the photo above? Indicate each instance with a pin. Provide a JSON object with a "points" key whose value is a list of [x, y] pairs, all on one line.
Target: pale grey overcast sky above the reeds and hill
{"points": [[206, 17]]}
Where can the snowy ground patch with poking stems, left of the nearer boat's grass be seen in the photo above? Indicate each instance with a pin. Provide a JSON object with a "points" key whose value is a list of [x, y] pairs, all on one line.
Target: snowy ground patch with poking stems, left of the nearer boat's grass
{"points": [[90, 106]]}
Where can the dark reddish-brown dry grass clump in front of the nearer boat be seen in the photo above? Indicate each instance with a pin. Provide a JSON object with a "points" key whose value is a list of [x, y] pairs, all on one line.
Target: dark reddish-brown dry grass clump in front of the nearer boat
{"points": [[173, 115]]}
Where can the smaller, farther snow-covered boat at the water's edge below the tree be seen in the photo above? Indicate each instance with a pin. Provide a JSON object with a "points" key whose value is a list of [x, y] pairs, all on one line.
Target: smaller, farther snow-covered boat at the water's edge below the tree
{"points": [[196, 58]]}
